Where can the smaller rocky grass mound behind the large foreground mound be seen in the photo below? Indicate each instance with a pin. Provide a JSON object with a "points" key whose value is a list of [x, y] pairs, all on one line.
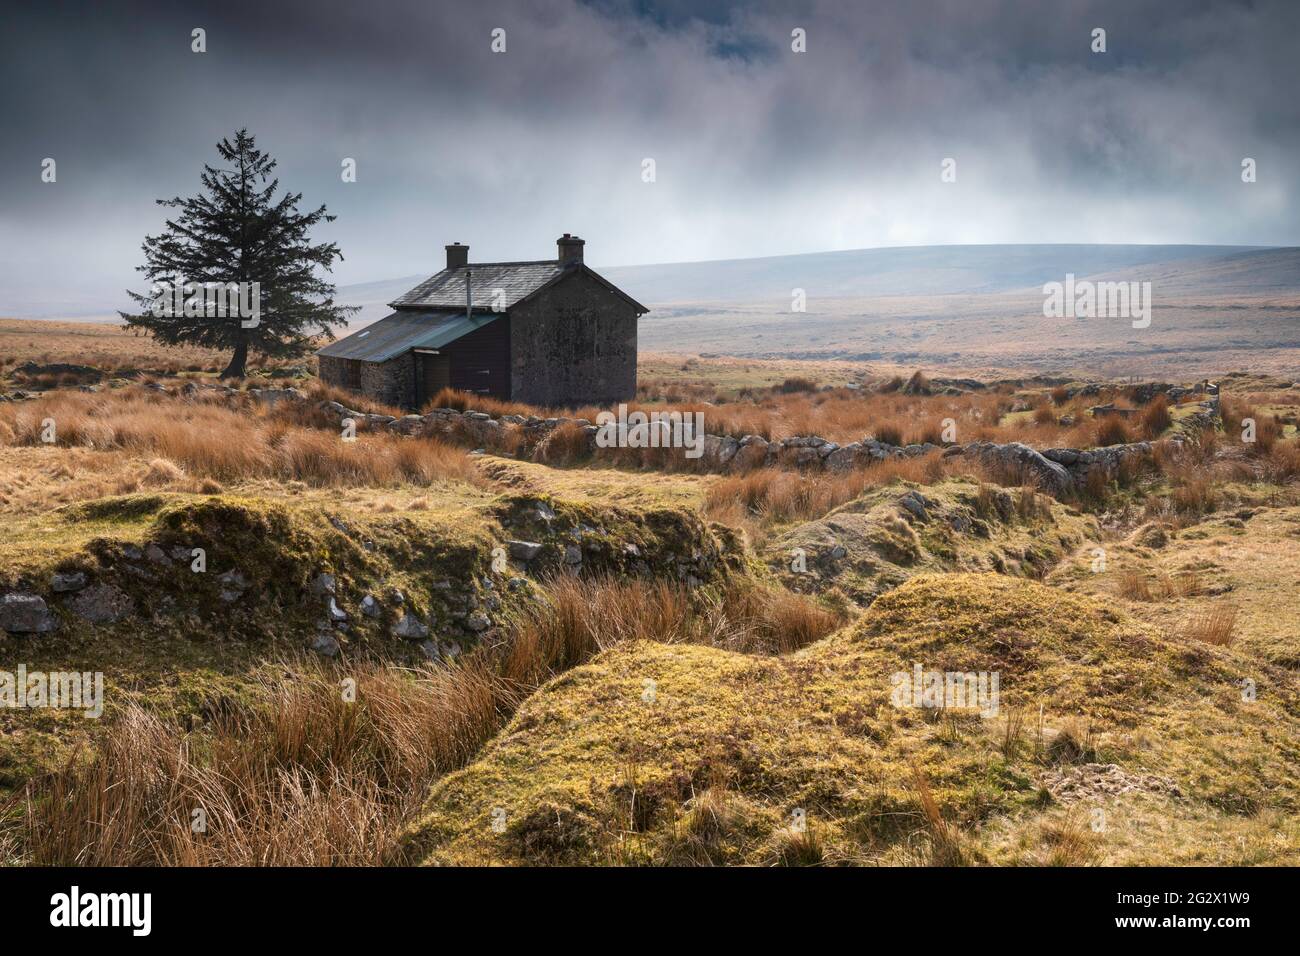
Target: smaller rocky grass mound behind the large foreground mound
{"points": [[887, 537]]}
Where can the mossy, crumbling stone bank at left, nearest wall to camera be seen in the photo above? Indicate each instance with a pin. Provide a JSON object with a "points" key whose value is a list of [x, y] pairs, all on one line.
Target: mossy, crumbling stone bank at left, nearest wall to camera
{"points": [[337, 589]]}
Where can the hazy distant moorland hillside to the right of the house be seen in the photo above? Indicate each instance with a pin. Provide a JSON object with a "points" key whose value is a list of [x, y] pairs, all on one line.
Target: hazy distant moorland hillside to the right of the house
{"points": [[981, 308]]}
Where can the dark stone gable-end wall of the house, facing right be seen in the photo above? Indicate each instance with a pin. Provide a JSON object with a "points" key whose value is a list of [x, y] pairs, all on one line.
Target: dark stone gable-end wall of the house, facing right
{"points": [[573, 345]]}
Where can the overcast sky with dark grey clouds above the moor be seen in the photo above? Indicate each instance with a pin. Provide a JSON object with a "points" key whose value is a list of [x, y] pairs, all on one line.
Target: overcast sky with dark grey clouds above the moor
{"points": [[759, 150]]}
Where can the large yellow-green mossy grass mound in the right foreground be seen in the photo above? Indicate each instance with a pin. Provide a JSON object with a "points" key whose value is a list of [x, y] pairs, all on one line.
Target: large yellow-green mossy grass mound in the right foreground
{"points": [[686, 755]]}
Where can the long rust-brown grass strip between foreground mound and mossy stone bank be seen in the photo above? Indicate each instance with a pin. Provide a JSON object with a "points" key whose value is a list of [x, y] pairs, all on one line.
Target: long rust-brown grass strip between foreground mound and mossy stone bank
{"points": [[306, 776]]}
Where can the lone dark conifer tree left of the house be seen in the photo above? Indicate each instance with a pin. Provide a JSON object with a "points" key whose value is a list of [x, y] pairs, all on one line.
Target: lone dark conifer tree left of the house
{"points": [[237, 232]]}
